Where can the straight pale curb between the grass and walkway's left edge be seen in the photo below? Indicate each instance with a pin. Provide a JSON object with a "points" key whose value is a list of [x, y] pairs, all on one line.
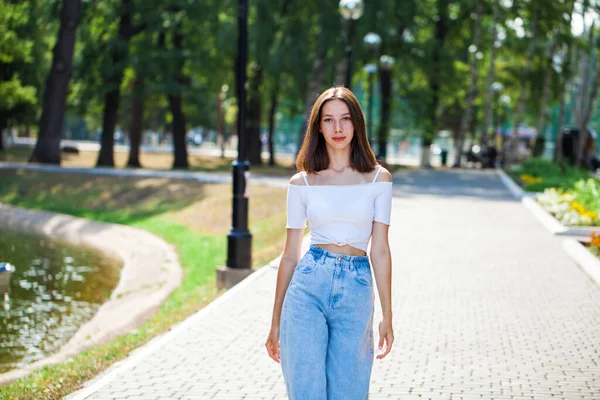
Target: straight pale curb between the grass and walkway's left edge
{"points": [[140, 354]]}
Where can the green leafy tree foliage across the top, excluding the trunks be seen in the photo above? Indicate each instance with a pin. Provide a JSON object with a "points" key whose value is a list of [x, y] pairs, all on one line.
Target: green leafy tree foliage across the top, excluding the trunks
{"points": [[283, 37]]}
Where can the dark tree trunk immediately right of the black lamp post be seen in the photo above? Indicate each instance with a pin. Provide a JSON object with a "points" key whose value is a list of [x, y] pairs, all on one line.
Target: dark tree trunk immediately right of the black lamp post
{"points": [[253, 116]]}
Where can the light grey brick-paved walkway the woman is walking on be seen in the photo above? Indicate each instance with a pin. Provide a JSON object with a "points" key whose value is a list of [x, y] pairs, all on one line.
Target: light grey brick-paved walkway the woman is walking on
{"points": [[486, 306]]}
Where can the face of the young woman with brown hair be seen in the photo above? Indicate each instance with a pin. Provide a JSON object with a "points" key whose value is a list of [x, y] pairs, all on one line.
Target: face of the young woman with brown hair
{"points": [[336, 124]]}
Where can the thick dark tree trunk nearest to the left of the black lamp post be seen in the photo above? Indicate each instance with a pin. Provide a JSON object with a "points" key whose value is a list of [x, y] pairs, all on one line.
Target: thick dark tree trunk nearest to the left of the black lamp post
{"points": [[179, 145]]}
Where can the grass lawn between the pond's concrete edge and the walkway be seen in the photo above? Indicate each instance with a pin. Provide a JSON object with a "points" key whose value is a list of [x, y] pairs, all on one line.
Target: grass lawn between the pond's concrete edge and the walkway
{"points": [[195, 217]]}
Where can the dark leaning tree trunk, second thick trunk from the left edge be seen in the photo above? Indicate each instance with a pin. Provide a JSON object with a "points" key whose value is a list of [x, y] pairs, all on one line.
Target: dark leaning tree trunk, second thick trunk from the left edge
{"points": [[119, 52]]}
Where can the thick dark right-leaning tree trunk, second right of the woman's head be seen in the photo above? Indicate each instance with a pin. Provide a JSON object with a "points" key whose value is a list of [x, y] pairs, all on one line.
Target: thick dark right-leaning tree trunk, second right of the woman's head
{"points": [[441, 31]]}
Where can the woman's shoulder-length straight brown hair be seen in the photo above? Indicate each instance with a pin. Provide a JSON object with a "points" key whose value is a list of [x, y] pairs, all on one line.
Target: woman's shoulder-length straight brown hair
{"points": [[313, 156]]}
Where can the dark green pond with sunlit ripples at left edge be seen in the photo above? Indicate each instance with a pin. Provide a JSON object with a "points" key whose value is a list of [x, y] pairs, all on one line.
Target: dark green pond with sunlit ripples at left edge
{"points": [[56, 288]]}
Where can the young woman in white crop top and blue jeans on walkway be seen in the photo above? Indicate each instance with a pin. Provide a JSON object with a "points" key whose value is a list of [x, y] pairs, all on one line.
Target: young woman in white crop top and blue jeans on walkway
{"points": [[321, 330]]}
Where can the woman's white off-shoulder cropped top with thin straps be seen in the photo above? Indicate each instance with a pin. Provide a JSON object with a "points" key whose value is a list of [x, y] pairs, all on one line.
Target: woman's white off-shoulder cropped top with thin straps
{"points": [[339, 214]]}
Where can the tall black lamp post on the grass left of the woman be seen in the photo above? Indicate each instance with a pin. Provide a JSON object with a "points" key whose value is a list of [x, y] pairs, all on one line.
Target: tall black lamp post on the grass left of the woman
{"points": [[239, 240]]}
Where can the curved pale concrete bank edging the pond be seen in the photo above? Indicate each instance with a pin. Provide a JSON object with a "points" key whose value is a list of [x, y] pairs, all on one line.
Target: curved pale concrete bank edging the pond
{"points": [[150, 272]]}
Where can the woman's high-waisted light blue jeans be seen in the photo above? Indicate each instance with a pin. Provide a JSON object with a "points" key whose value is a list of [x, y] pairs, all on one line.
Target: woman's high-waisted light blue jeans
{"points": [[326, 329]]}
